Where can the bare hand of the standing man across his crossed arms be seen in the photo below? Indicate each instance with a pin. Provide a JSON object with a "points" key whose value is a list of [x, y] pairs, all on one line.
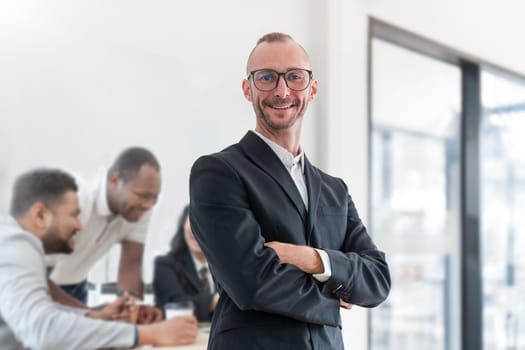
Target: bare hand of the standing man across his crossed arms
{"points": [[303, 257]]}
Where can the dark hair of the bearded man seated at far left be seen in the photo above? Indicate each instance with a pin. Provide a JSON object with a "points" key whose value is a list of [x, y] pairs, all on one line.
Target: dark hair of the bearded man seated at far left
{"points": [[46, 186]]}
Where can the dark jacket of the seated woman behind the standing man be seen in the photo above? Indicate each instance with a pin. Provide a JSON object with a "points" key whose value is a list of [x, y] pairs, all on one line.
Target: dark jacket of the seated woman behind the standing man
{"points": [[175, 278]]}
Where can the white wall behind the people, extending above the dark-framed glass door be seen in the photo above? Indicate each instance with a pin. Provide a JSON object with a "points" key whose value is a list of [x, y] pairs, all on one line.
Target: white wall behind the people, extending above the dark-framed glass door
{"points": [[81, 80]]}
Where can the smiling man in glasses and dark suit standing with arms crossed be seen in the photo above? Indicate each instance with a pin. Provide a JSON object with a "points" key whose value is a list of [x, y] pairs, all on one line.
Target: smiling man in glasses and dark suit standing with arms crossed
{"points": [[283, 239]]}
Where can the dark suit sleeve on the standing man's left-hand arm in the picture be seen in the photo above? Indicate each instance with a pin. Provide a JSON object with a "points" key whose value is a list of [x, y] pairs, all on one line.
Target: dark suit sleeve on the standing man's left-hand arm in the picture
{"points": [[224, 224]]}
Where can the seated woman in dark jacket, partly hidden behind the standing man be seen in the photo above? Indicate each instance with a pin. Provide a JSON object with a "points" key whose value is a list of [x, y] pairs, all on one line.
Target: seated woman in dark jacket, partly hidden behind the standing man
{"points": [[182, 274]]}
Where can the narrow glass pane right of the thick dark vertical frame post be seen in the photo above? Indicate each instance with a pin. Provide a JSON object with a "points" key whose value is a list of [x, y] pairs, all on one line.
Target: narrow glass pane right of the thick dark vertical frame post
{"points": [[502, 159]]}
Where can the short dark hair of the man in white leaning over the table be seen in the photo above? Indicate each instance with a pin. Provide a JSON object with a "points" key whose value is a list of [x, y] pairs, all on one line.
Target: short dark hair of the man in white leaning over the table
{"points": [[129, 162]]}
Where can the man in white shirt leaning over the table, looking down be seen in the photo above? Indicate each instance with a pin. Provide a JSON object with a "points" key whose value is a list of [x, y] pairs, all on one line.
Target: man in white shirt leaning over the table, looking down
{"points": [[114, 210]]}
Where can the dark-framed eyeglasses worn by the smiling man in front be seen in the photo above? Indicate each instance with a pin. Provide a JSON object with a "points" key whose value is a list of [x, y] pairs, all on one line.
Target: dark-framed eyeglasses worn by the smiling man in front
{"points": [[268, 79]]}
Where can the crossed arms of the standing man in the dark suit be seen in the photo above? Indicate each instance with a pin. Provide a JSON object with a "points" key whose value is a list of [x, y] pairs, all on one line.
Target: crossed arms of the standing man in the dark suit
{"points": [[223, 221]]}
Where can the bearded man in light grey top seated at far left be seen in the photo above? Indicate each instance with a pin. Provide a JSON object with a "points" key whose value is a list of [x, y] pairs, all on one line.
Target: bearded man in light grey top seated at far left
{"points": [[44, 219]]}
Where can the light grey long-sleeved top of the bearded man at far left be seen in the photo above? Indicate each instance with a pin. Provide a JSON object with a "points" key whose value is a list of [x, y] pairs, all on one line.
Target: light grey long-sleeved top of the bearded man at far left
{"points": [[29, 318]]}
